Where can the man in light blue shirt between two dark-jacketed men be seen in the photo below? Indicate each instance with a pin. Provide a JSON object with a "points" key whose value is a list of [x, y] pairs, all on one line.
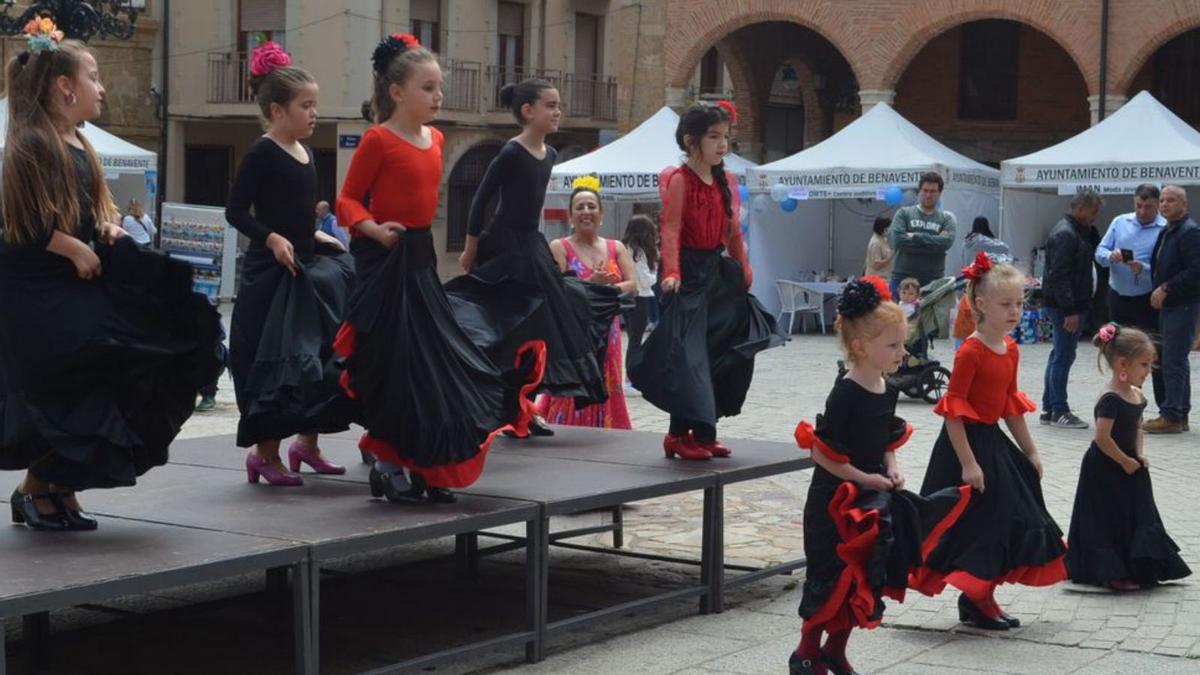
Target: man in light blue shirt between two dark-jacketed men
{"points": [[1132, 282]]}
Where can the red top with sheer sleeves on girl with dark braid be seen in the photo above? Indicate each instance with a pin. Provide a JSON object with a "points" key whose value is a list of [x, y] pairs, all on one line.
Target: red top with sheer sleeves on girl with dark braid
{"points": [[694, 218]]}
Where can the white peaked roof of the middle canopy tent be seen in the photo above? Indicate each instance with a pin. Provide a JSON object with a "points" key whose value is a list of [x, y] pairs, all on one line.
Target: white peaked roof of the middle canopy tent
{"points": [[875, 152]]}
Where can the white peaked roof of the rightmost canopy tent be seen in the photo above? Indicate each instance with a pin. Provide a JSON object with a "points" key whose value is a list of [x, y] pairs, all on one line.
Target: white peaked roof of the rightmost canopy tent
{"points": [[1143, 142]]}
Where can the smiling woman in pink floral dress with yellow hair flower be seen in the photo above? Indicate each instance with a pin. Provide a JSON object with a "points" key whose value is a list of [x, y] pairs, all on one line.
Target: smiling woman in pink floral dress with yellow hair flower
{"points": [[595, 260]]}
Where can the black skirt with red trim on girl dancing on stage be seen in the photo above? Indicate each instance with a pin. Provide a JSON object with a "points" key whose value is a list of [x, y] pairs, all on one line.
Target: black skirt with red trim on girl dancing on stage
{"points": [[431, 399]]}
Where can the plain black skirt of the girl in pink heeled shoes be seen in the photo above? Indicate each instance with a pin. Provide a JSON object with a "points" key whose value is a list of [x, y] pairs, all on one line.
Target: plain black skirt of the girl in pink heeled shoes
{"points": [[281, 344]]}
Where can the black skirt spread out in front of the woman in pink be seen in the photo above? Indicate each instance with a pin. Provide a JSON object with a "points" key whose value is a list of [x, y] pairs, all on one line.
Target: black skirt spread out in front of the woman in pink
{"points": [[518, 295]]}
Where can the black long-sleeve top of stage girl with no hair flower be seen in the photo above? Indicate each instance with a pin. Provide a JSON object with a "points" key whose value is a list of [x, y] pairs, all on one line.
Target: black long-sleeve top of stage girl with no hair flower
{"points": [[523, 181]]}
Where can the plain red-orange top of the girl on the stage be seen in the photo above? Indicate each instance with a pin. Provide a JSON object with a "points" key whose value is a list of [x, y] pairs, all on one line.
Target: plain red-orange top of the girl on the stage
{"points": [[401, 180]]}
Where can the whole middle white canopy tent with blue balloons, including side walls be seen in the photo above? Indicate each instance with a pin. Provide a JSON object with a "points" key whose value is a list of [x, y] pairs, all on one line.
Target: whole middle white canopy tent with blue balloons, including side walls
{"points": [[841, 186]]}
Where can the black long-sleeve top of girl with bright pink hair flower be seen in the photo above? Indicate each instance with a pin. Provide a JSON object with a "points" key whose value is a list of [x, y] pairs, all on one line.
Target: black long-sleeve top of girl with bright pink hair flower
{"points": [[283, 192]]}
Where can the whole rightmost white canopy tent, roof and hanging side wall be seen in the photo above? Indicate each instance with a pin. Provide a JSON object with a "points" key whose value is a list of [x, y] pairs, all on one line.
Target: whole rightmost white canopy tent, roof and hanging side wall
{"points": [[1142, 142]]}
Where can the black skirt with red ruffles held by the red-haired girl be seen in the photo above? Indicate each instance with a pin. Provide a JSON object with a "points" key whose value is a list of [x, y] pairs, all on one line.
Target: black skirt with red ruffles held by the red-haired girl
{"points": [[862, 546]]}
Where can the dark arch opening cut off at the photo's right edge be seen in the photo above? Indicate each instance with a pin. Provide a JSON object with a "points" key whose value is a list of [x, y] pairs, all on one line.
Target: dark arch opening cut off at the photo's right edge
{"points": [[1169, 76]]}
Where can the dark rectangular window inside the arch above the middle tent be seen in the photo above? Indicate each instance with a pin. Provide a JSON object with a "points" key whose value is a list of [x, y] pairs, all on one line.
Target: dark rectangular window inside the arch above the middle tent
{"points": [[988, 73]]}
